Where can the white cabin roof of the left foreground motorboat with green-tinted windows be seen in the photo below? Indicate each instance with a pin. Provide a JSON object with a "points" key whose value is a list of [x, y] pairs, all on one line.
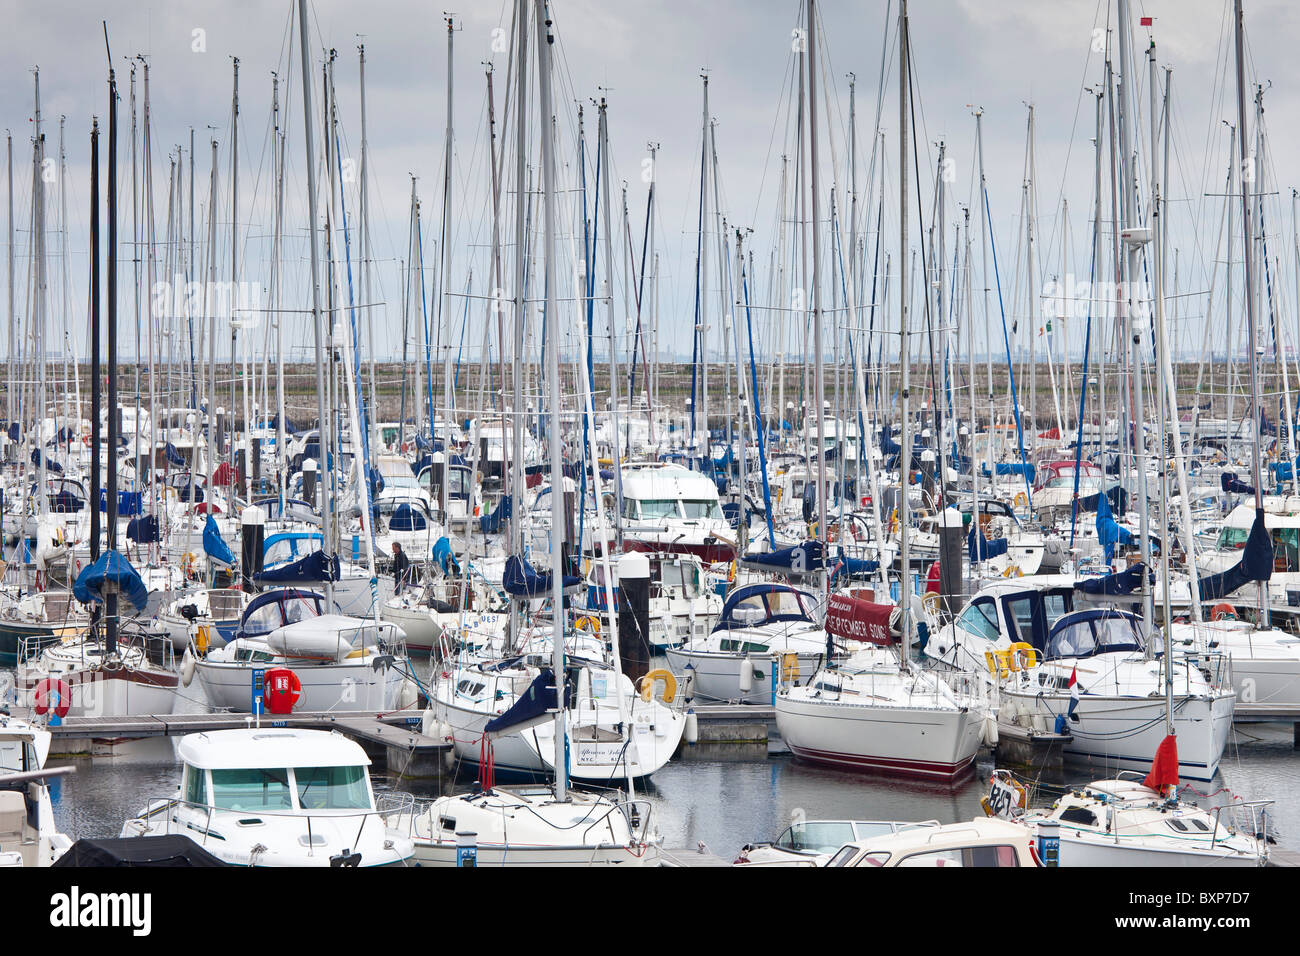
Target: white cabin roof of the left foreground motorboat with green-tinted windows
{"points": [[271, 749]]}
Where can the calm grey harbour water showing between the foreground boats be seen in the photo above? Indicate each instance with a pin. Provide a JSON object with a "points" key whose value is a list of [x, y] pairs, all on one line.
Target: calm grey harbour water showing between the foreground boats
{"points": [[722, 803]]}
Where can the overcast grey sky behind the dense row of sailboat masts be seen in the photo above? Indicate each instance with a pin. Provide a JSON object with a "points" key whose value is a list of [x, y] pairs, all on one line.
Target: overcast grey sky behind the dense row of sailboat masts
{"points": [[648, 60]]}
